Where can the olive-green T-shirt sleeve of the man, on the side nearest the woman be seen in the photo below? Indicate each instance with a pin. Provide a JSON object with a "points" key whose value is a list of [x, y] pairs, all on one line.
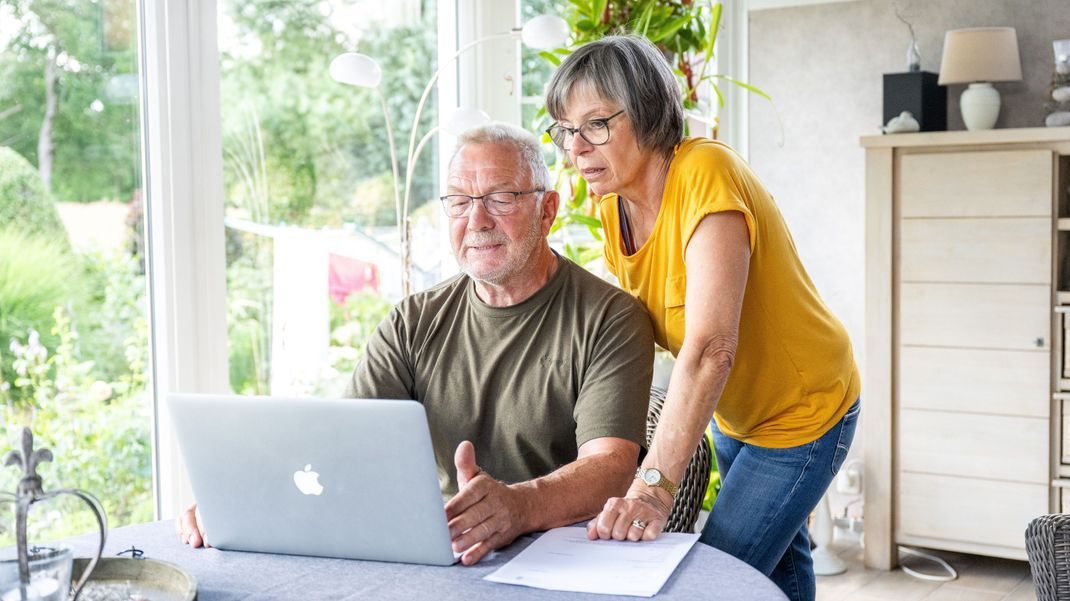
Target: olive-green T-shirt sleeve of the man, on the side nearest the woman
{"points": [[616, 392]]}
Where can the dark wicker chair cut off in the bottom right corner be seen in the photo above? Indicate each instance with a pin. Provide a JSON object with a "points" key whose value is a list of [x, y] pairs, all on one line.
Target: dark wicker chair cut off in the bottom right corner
{"points": [[1048, 544]]}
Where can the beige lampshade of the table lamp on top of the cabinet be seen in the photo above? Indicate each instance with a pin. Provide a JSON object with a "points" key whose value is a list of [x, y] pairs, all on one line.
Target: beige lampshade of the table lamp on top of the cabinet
{"points": [[982, 54]]}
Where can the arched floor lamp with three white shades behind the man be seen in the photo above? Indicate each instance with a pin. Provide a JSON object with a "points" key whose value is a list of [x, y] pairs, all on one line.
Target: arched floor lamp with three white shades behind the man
{"points": [[354, 69]]}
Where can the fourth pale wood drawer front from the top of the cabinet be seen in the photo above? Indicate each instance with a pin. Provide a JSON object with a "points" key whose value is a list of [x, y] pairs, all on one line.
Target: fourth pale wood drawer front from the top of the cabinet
{"points": [[981, 381]]}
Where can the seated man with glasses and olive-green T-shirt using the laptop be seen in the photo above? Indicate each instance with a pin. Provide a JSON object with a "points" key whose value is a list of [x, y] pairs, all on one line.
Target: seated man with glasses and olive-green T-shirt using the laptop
{"points": [[526, 359]]}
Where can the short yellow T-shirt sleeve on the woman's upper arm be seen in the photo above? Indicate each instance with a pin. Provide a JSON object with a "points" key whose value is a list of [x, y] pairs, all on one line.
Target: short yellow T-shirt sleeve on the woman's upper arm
{"points": [[715, 180]]}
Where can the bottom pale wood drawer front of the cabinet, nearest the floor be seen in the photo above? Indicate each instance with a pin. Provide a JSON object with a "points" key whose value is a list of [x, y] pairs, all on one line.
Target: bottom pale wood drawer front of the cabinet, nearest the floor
{"points": [[968, 510]]}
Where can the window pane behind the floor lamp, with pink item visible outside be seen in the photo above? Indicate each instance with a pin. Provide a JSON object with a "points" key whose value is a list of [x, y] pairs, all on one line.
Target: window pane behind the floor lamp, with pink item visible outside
{"points": [[313, 243]]}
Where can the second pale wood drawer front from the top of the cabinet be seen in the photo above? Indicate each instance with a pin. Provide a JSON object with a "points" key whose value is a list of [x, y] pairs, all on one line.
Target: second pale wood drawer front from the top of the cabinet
{"points": [[1005, 251]]}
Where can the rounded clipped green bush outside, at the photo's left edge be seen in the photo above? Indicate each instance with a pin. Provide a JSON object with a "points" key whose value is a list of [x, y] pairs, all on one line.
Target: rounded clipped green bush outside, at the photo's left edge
{"points": [[25, 204]]}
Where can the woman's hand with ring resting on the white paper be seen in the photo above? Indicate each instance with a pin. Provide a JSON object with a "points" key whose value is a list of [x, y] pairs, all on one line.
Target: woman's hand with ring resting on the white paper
{"points": [[648, 505]]}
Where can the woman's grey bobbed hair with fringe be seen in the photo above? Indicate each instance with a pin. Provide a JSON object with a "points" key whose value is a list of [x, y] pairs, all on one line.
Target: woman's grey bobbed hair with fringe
{"points": [[632, 73]]}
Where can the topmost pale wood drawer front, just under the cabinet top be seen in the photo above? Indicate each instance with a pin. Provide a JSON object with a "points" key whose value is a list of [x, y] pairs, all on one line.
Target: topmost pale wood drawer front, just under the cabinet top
{"points": [[977, 184]]}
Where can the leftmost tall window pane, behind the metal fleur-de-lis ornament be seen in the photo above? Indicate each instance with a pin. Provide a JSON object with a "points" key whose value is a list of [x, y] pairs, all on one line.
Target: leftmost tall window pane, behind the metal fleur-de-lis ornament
{"points": [[73, 297]]}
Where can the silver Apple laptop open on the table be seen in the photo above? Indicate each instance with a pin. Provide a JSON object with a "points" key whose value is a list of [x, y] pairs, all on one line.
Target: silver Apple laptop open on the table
{"points": [[349, 479]]}
